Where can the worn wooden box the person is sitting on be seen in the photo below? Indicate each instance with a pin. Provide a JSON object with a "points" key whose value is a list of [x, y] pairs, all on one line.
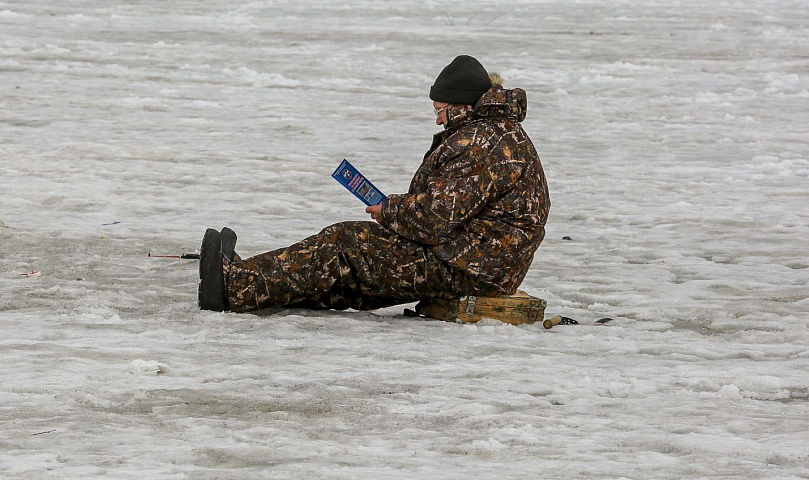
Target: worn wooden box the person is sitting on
{"points": [[516, 309]]}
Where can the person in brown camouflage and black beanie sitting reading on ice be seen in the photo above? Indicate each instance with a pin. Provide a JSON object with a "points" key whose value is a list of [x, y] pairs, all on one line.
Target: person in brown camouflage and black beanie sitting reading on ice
{"points": [[470, 223]]}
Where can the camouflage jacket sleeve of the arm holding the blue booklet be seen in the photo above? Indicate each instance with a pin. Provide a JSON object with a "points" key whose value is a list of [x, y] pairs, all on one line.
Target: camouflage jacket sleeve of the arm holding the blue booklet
{"points": [[454, 194]]}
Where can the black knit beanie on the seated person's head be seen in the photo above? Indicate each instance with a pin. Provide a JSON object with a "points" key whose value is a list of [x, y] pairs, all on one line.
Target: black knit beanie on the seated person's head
{"points": [[462, 82]]}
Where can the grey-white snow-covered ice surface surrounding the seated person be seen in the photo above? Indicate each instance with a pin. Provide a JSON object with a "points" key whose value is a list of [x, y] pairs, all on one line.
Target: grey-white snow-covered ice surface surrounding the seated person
{"points": [[674, 137]]}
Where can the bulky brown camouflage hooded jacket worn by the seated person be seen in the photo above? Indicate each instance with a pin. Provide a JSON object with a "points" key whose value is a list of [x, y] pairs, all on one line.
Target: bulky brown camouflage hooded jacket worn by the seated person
{"points": [[480, 198]]}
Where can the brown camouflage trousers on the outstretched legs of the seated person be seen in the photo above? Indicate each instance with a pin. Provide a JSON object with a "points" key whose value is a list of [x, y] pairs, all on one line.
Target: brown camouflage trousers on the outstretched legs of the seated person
{"points": [[358, 265]]}
